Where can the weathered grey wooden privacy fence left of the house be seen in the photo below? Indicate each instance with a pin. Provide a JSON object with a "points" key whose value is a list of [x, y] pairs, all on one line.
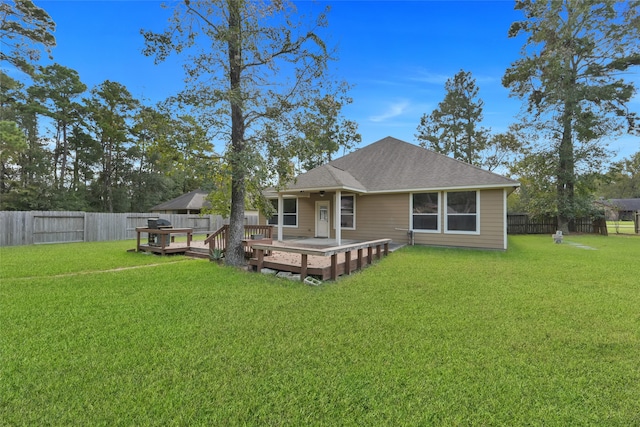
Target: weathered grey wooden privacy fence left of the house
{"points": [[36, 227]]}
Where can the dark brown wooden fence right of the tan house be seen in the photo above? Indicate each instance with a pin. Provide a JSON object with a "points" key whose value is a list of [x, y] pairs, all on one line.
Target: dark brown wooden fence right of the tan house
{"points": [[525, 224]]}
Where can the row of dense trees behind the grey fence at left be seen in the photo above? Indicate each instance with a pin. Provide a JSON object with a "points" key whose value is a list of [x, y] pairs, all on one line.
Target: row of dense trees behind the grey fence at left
{"points": [[66, 147]]}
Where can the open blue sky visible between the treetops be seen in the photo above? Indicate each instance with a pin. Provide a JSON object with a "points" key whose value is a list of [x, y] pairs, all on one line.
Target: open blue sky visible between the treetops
{"points": [[396, 54]]}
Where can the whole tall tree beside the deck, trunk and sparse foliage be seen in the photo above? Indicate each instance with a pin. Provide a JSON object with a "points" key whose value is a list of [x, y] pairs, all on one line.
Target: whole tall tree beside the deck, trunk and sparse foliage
{"points": [[251, 68]]}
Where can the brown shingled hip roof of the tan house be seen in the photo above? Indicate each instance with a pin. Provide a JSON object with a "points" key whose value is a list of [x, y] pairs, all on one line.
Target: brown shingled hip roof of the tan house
{"points": [[392, 165]]}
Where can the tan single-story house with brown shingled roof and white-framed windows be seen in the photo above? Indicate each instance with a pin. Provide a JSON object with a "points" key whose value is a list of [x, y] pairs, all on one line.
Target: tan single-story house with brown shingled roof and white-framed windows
{"points": [[397, 190]]}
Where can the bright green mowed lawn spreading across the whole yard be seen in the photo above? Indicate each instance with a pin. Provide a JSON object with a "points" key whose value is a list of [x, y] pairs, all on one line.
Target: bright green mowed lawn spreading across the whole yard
{"points": [[543, 334]]}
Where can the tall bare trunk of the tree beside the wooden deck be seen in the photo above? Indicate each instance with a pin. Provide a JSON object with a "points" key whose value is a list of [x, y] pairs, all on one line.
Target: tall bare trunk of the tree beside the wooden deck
{"points": [[235, 251]]}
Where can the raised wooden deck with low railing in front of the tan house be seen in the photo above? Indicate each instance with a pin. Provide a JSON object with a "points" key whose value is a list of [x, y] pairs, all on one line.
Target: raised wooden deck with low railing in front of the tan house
{"points": [[344, 259]]}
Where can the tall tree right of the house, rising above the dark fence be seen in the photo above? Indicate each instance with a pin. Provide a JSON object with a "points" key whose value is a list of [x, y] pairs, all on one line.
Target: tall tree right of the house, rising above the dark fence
{"points": [[571, 77]]}
